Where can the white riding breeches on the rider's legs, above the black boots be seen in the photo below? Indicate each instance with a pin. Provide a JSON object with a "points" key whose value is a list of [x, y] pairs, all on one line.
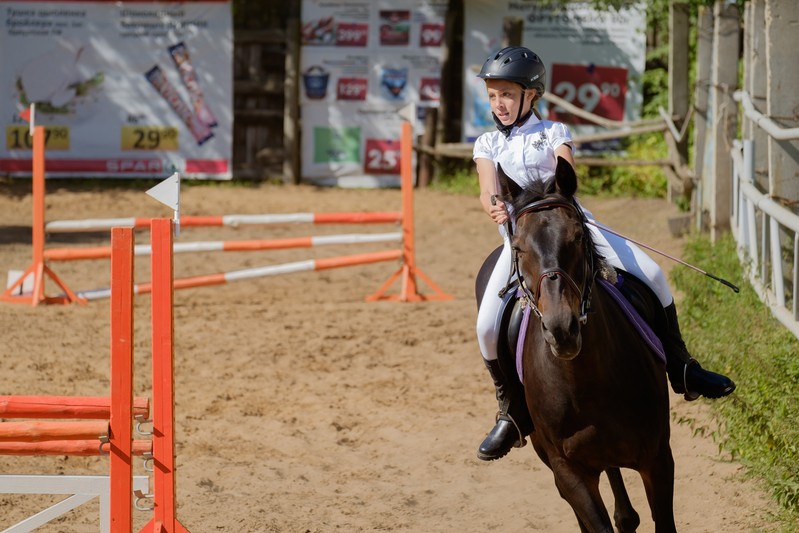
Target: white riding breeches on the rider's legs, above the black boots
{"points": [[618, 252]]}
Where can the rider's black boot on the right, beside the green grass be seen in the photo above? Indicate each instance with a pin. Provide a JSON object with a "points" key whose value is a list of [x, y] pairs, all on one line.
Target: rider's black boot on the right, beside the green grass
{"points": [[687, 377]]}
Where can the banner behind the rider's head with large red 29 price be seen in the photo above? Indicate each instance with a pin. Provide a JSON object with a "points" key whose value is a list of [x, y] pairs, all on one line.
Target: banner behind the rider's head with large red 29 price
{"points": [[594, 59]]}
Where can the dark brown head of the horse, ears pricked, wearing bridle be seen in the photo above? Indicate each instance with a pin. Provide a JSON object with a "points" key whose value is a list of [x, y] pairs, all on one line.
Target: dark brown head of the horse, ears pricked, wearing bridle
{"points": [[554, 256]]}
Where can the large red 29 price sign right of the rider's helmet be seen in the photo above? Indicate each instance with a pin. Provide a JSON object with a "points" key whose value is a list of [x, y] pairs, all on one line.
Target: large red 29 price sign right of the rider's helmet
{"points": [[598, 90]]}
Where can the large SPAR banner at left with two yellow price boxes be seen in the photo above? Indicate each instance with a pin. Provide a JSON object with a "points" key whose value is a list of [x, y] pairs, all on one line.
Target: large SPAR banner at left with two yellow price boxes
{"points": [[124, 89]]}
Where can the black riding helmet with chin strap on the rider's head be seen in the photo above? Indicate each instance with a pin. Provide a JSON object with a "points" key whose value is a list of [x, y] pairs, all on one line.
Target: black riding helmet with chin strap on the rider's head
{"points": [[520, 65]]}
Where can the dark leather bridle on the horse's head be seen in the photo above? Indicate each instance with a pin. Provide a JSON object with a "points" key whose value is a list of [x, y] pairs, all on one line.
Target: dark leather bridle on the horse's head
{"points": [[553, 273]]}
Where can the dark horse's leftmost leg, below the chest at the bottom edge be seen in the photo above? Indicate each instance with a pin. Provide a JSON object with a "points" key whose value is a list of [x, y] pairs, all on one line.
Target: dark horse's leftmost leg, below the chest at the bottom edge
{"points": [[581, 490]]}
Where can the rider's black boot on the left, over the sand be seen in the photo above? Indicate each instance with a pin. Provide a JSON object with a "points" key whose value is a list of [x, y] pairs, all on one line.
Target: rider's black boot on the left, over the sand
{"points": [[513, 419]]}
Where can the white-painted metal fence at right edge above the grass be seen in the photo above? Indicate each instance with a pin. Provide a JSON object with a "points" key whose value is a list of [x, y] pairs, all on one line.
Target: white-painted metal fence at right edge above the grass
{"points": [[766, 232]]}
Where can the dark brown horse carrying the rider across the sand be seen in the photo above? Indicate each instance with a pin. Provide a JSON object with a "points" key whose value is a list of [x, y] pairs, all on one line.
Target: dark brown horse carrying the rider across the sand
{"points": [[596, 393]]}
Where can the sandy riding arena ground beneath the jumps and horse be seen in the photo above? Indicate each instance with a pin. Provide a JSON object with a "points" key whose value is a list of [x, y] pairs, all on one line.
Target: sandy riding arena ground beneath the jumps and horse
{"points": [[301, 408]]}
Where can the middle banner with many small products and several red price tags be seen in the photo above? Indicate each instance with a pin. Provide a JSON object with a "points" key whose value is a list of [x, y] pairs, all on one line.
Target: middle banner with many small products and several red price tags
{"points": [[361, 62]]}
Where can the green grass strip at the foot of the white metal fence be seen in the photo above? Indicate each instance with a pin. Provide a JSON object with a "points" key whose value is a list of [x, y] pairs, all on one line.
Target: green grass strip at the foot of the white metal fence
{"points": [[736, 334]]}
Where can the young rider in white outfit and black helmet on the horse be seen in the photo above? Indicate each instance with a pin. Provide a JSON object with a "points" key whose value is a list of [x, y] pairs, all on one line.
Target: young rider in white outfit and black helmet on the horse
{"points": [[527, 149]]}
